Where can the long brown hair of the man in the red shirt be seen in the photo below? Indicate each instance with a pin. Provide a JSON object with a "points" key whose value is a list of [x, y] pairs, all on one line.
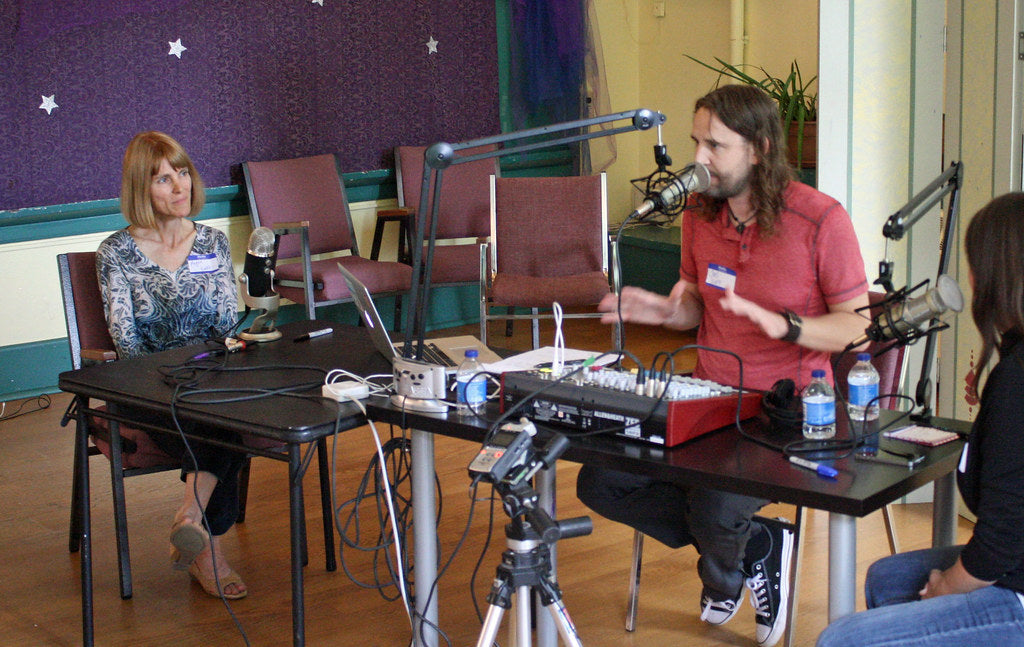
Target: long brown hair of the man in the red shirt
{"points": [[751, 113]]}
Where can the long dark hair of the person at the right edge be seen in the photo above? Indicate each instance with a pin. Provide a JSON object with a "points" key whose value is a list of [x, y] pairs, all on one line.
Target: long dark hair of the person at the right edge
{"points": [[995, 246]]}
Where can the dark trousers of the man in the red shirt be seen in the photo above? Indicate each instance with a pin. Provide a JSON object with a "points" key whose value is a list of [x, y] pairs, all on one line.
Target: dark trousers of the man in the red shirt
{"points": [[718, 525]]}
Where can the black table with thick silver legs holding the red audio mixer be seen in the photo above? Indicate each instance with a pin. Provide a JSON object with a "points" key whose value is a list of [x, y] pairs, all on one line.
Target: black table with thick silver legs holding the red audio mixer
{"points": [[722, 460]]}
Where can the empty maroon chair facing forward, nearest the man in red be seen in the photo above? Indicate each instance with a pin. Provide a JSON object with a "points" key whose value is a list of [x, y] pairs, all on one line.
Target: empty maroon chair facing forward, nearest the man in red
{"points": [[549, 243]]}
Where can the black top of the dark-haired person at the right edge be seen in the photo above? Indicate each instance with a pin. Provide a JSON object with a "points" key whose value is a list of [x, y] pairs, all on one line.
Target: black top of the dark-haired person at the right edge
{"points": [[992, 479]]}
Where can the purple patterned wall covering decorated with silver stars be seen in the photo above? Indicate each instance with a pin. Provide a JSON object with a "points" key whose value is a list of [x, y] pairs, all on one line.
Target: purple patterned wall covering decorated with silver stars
{"points": [[259, 80]]}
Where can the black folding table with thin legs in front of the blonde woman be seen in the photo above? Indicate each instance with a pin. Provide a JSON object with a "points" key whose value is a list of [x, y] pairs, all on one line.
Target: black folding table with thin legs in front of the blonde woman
{"points": [[294, 422]]}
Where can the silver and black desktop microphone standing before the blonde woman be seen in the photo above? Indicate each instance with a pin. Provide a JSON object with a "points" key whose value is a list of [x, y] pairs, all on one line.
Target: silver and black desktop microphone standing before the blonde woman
{"points": [[257, 286]]}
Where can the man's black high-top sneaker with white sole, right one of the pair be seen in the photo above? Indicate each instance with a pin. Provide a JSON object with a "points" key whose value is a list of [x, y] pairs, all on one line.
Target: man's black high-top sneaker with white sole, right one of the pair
{"points": [[770, 584]]}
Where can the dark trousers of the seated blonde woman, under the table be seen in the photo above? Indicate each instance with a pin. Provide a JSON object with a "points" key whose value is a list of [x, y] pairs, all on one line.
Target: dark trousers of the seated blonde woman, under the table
{"points": [[223, 509]]}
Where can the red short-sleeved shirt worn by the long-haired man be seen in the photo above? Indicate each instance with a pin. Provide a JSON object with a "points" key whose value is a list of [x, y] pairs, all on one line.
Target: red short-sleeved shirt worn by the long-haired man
{"points": [[813, 262]]}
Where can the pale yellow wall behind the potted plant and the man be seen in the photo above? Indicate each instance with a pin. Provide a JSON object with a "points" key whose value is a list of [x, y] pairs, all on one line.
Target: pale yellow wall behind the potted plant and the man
{"points": [[646, 62]]}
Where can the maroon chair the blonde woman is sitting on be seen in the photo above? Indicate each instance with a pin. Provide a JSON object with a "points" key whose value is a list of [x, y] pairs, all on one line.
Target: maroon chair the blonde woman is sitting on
{"points": [[91, 342]]}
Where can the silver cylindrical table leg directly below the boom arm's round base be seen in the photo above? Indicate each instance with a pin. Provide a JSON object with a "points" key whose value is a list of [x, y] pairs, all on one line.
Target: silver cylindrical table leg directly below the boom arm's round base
{"points": [[424, 539]]}
